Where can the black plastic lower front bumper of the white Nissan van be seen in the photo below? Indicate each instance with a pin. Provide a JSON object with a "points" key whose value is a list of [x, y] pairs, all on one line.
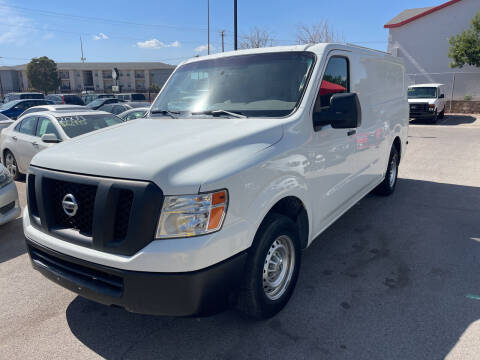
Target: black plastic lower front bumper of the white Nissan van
{"points": [[200, 293]]}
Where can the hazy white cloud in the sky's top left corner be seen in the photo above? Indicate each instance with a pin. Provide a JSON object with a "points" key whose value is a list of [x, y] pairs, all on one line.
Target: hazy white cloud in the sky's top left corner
{"points": [[15, 27]]}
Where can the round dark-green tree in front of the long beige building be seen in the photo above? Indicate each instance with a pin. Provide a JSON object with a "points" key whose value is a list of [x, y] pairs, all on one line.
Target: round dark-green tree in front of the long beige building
{"points": [[42, 74]]}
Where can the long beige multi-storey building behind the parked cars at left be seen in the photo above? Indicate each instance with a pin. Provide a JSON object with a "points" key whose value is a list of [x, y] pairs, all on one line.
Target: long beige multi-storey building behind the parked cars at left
{"points": [[76, 77]]}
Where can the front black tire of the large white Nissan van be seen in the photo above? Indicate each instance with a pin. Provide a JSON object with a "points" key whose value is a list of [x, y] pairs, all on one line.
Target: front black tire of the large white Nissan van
{"points": [[253, 300]]}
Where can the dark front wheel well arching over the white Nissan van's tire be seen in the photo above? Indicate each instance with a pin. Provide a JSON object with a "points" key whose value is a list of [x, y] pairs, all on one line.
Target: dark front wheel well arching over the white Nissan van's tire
{"points": [[293, 208]]}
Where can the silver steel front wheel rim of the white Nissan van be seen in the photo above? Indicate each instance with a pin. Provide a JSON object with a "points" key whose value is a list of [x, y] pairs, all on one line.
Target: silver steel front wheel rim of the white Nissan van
{"points": [[278, 267]]}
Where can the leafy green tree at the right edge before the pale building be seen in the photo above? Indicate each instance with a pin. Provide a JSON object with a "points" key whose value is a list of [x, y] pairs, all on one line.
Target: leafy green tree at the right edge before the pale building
{"points": [[465, 47]]}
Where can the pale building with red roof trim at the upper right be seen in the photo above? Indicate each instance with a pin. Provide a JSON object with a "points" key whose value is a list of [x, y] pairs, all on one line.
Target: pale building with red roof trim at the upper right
{"points": [[421, 35]]}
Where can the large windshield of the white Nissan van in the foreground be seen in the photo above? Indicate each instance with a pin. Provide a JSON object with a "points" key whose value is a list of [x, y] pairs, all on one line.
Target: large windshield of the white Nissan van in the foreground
{"points": [[261, 85]]}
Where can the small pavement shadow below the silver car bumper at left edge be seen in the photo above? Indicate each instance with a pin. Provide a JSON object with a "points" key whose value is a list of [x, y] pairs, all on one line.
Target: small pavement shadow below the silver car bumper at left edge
{"points": [[12, 243]]}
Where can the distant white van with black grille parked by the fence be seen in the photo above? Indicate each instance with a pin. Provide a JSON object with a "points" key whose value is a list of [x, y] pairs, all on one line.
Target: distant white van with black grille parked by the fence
{"points": [[427, 101]]}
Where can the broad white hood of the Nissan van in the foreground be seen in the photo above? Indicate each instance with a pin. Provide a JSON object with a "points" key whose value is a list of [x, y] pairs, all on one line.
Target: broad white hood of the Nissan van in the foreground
{"points": [[179, 155]]}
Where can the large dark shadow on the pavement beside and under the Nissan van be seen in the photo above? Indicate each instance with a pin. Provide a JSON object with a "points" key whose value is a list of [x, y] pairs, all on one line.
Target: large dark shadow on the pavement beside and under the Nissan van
{"points": [[388, 280]]}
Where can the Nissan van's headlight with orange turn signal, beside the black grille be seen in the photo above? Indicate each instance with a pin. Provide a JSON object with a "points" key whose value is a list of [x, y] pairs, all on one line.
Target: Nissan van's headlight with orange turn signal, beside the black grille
{"points": [[192, 215]]}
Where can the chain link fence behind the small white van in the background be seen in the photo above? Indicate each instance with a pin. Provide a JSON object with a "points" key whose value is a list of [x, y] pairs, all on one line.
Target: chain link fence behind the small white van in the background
{"points": [[458, 85]]}
